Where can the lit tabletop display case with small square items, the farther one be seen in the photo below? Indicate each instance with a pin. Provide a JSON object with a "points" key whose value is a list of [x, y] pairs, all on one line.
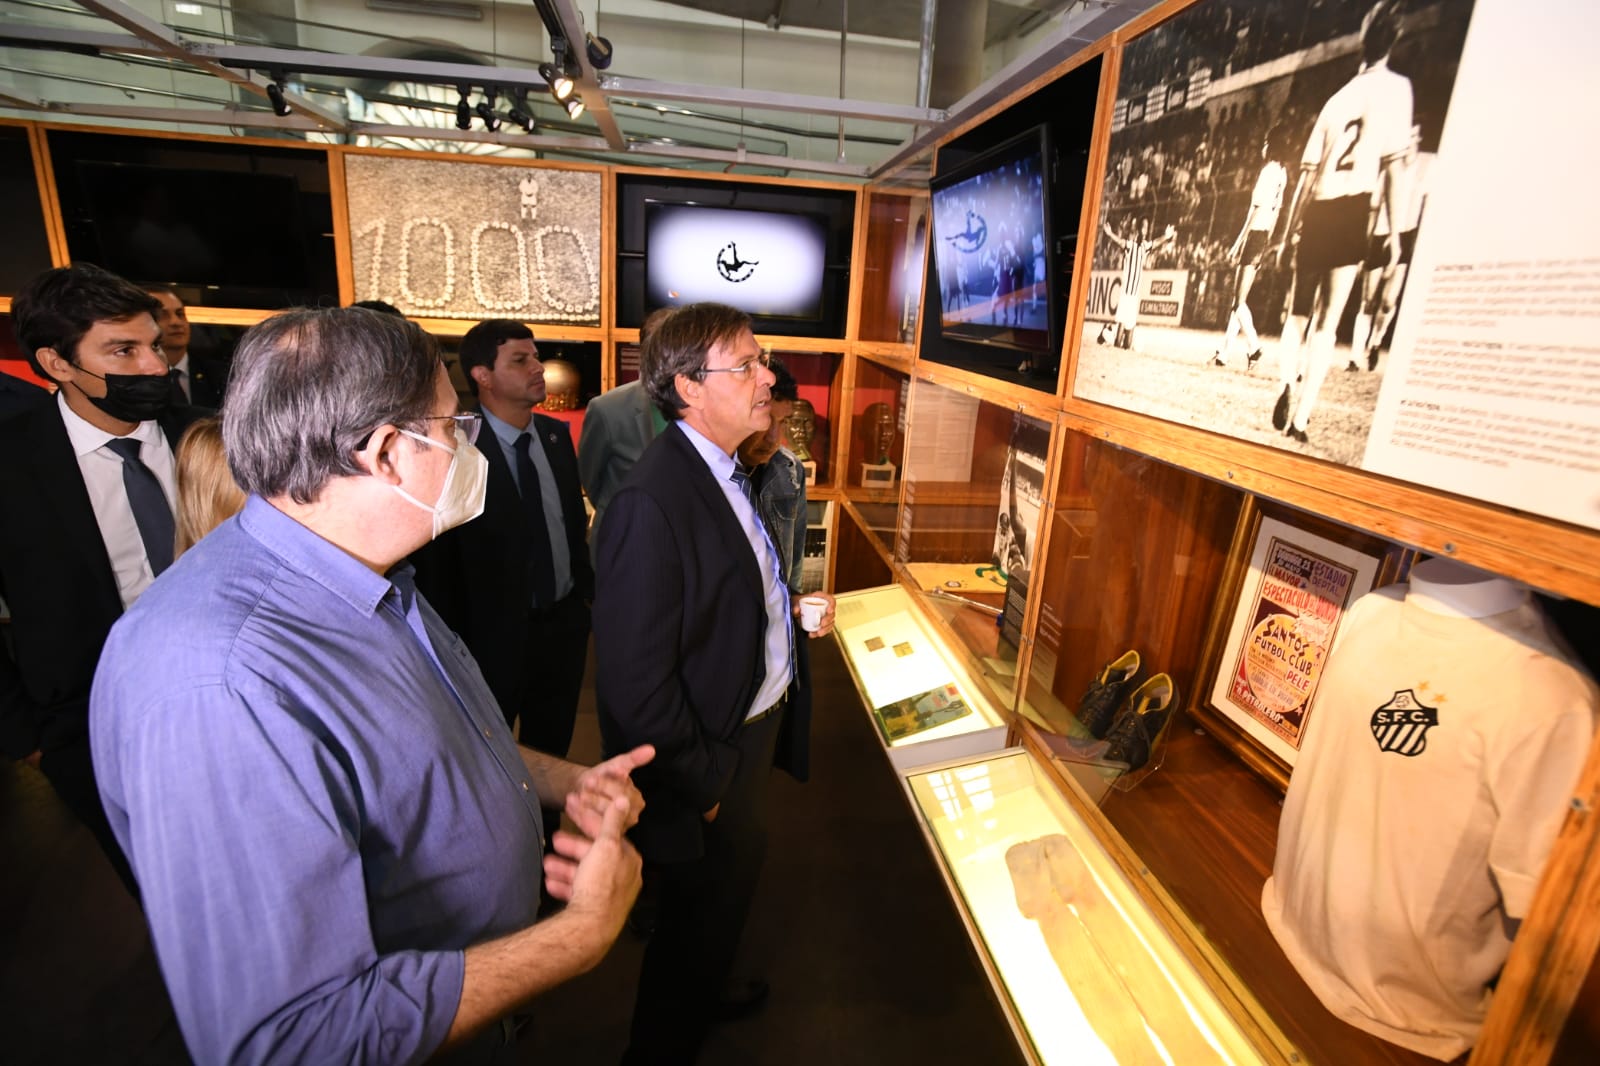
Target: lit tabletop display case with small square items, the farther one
{"points": [[922, 702]]}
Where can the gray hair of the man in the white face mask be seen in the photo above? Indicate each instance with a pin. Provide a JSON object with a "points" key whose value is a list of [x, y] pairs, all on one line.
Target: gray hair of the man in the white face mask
{"points": [[310, 387]]}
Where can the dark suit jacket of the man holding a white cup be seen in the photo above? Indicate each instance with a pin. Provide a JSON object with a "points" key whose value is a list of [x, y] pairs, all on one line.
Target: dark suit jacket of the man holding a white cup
{"points": [[681, 630]]}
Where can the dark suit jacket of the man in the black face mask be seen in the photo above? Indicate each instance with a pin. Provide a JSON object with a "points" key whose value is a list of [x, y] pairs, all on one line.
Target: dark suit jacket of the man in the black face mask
{"points": [[57, 577]]}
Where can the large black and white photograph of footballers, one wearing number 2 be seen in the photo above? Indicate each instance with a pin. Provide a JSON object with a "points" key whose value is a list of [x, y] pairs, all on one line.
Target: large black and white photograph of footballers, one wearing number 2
{"points": [[1263, 198]]}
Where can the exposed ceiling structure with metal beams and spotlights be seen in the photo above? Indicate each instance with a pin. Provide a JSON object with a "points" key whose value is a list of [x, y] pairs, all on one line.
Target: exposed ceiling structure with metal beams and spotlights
{"points": [[751, 86]]}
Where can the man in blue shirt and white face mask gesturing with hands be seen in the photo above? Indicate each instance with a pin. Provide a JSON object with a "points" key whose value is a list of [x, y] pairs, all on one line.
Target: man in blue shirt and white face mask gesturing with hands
{"points": [[337, 838]]}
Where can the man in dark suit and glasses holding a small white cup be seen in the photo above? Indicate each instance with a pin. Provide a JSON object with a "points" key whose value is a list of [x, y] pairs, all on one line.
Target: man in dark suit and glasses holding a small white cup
{"points": [[695, 652]]}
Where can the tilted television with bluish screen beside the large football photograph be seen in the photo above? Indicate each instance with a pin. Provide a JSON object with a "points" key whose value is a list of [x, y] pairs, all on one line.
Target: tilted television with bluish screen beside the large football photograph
{"points": [[993, 249]]}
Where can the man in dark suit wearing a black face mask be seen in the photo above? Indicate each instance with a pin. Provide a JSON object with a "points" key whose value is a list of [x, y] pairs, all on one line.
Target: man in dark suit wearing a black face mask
{"points": [[87, 499]]}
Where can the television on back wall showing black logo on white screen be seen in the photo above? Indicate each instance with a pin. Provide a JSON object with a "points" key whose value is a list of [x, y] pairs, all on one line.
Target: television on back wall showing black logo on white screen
{"points": [[770, 265]]}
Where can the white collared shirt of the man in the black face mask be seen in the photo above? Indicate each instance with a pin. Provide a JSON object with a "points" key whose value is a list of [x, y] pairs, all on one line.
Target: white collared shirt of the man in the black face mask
{"points": [[113, 513]]}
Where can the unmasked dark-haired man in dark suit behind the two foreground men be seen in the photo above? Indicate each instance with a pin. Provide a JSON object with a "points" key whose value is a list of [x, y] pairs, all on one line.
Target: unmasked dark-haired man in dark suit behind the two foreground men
{"points": [[518, 583]]}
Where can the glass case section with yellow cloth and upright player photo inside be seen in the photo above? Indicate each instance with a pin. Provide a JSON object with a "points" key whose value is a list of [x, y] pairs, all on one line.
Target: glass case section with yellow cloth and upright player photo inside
{"points": [[969, 526]]}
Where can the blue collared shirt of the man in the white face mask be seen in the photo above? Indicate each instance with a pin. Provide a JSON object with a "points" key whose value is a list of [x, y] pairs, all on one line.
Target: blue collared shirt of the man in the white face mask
{"points": [[319, 798]]}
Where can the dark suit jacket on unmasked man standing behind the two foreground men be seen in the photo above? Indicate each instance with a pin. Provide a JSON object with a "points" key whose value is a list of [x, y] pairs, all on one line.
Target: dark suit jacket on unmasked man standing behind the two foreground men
{"points": [[476, 575]]}
